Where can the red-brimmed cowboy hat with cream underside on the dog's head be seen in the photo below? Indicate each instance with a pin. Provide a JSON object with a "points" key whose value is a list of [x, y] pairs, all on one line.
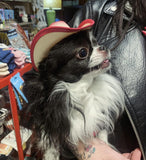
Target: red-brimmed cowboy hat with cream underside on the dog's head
{"points": [[46, 38]]}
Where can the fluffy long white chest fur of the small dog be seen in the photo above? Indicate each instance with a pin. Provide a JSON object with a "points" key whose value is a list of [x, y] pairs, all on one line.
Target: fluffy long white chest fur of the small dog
{"points": [[101, 100]]}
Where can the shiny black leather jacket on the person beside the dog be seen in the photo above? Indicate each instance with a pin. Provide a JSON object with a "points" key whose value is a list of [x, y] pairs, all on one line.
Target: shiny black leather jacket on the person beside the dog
{"points": [[128, 65]]}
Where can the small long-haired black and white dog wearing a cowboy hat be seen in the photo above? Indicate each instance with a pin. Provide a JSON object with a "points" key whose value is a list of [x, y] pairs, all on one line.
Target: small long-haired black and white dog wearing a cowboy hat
{"points": [[71, 97]]}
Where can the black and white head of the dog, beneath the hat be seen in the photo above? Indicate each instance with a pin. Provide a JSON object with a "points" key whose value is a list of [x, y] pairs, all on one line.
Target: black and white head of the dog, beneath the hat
{"points": [[75, 56]]}
